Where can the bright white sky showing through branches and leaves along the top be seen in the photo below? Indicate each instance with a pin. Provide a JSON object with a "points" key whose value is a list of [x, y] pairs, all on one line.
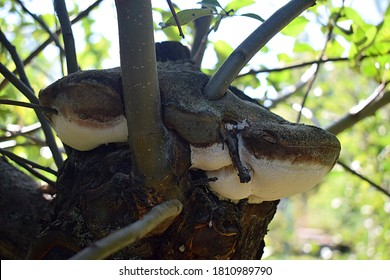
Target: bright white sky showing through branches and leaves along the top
{"points": [[232, 30]]}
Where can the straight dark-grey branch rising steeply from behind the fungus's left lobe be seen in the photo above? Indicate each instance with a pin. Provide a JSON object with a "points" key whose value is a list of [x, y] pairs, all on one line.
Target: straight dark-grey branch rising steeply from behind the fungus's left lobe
{"points": [[67, 35]]}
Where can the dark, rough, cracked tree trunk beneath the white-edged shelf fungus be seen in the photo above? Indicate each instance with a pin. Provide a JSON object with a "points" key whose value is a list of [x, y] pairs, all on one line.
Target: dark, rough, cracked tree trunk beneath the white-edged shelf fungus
{"points": [[96, 195]]}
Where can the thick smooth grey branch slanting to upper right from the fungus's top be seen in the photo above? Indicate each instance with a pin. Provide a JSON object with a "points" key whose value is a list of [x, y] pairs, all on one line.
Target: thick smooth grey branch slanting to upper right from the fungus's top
{"points": [[218, 84]]}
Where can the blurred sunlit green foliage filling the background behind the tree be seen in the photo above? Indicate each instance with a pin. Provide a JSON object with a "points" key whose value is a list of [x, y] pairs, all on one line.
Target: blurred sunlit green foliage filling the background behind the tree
{"points": [[342, 218]]}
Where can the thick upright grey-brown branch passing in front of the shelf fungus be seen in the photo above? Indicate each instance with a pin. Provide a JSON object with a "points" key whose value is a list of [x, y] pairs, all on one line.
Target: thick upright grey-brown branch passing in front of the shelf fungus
{"points": [[147, 134]]}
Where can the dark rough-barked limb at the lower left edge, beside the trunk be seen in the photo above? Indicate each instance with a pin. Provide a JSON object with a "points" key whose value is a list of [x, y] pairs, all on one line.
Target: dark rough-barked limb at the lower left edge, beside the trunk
{"points": [[23, 210]]}
